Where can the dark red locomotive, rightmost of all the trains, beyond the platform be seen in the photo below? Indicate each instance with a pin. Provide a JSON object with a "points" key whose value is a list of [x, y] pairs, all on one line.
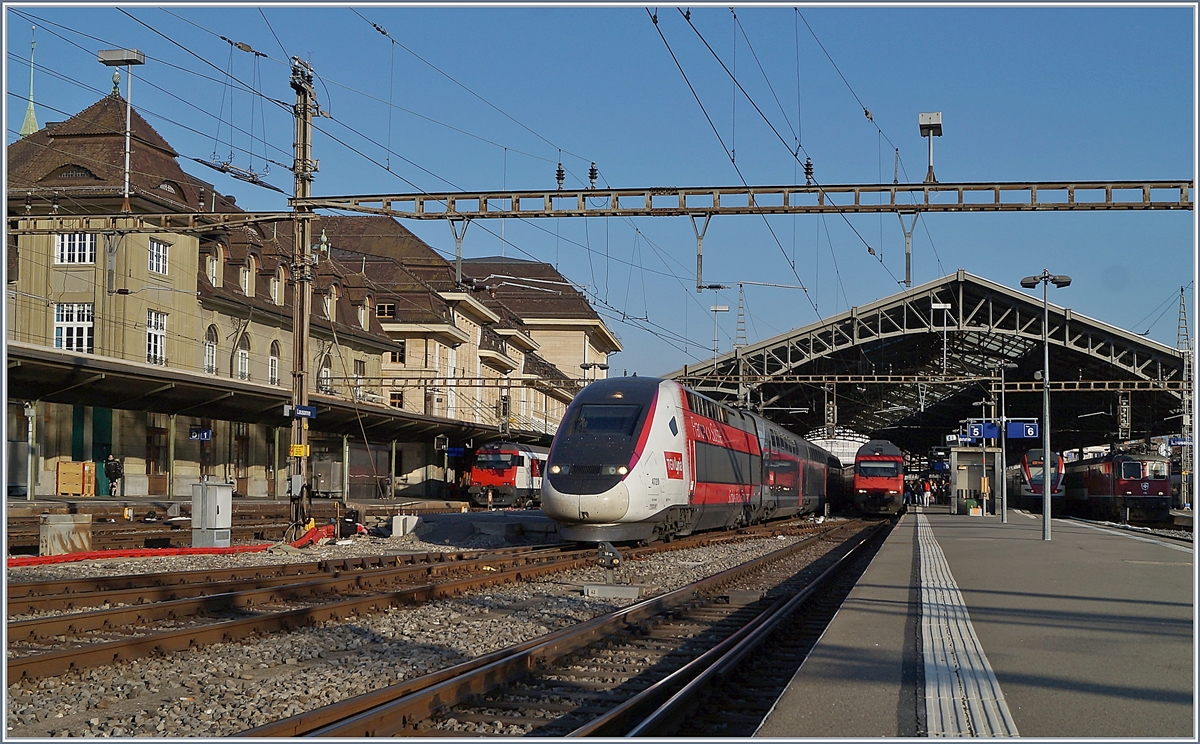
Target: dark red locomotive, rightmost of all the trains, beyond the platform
{"points": [[1120, 485]]}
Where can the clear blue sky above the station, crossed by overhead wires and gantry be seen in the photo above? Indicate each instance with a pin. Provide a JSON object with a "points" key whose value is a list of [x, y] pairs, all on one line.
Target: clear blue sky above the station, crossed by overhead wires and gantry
{"points": [[503, 94]]}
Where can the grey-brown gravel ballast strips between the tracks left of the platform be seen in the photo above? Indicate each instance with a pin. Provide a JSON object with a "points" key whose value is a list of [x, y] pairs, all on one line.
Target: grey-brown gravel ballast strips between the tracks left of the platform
{"points": [[225, 689]]}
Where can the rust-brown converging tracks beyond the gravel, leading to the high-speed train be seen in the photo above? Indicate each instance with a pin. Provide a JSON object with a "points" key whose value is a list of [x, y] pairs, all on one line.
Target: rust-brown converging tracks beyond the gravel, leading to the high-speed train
{"points": [[62, 626]]}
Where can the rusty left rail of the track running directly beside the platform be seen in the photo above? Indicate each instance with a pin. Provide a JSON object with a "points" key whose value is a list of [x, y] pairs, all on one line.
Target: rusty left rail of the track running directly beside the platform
{"points": [[389, 711]]}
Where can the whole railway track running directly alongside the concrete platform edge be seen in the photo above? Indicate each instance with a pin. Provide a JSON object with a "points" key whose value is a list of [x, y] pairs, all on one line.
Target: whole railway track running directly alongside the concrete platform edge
{"points": [[608, 675]]}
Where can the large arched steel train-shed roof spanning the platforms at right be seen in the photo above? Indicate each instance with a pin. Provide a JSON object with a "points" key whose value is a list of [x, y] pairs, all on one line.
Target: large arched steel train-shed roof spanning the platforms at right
{"points": [[881, 369]]}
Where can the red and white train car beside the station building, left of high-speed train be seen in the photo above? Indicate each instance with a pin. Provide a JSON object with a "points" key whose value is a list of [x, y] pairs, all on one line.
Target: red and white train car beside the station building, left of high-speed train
{"points": [[508, 475]]}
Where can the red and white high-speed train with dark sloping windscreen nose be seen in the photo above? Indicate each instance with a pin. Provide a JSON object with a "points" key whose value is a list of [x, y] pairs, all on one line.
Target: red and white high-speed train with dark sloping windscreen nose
{"points": [[639, 459]]}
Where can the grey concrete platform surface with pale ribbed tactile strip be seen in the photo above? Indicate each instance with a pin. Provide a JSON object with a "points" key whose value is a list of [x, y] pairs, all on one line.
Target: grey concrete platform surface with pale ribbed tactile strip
{"points": [[1088, 635]]}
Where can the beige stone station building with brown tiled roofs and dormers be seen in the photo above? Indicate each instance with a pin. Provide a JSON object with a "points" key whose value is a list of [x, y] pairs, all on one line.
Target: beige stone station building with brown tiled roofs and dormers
{"points": [[169, 341]]}
